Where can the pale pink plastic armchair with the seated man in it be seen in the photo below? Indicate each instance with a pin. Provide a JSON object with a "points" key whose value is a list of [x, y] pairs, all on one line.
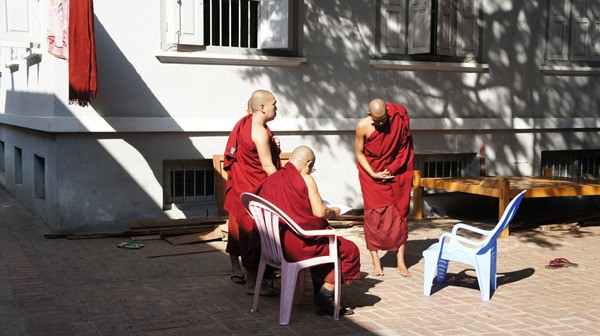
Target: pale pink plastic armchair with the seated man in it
{"points": [[268, 217]]}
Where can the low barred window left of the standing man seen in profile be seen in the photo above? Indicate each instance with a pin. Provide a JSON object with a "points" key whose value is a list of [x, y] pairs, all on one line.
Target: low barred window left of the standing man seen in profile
{"points": [[189, 183]]}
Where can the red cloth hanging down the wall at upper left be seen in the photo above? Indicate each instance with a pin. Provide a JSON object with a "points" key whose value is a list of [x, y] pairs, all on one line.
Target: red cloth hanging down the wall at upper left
{"points": [[83, 75]]}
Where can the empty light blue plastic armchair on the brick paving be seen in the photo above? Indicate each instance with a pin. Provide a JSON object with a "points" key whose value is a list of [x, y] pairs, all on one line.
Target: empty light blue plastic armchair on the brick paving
{"points": [[479, 254]]}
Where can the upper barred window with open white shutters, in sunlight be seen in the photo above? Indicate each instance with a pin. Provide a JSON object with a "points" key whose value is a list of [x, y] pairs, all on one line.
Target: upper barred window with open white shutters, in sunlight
{"points": [[241, 24]]}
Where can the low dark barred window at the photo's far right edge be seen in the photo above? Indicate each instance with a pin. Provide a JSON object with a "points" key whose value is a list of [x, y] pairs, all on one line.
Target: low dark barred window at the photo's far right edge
{"points": [[573, 164]]}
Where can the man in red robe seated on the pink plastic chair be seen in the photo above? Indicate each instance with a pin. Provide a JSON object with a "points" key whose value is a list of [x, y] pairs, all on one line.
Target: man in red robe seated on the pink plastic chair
{"points": [[295, 192]]}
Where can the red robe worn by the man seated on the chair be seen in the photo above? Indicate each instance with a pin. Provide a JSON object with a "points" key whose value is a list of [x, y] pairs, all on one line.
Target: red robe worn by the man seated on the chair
{"points": [[287, 190]]}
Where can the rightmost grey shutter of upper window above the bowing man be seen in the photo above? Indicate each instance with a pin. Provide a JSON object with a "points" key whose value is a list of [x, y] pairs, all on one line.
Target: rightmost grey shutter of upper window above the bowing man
{"points": [[467, 28]]}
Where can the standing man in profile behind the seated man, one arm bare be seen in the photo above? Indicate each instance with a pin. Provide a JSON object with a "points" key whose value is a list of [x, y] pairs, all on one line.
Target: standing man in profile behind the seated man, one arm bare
{"points": [[251, 154]]}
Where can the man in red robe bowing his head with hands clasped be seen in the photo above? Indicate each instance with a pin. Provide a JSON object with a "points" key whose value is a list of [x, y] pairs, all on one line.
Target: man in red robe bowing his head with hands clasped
{"points": [[384, 156]]}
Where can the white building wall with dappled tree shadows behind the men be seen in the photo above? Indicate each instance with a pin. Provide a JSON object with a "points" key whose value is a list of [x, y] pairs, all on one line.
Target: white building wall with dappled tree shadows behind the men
{"points": [[104, 162]]}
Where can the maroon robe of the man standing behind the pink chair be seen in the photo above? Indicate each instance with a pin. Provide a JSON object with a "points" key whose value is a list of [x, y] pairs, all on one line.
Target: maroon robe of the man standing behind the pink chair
{"points": [[244, 173]]}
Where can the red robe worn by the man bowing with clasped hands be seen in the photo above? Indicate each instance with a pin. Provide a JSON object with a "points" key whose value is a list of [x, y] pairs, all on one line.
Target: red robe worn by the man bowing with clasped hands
{"points": [[388, 147]]}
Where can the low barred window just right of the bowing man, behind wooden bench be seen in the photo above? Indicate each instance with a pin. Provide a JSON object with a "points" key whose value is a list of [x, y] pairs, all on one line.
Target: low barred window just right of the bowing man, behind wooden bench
{"points": [[445, 165]]}
